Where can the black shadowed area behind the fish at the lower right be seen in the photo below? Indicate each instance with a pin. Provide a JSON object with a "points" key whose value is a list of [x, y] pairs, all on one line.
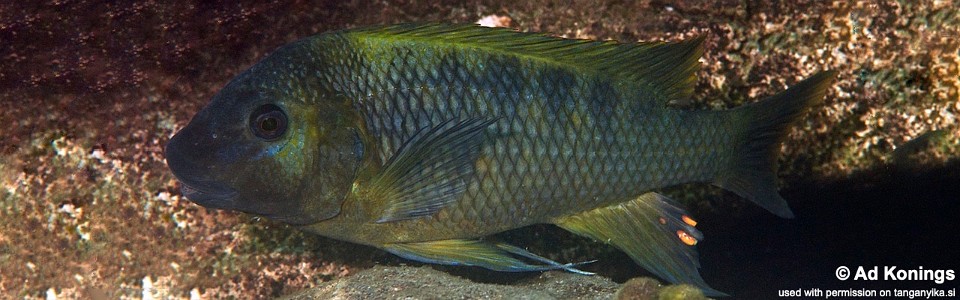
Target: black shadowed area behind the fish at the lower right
{"points": [[885, 217]]}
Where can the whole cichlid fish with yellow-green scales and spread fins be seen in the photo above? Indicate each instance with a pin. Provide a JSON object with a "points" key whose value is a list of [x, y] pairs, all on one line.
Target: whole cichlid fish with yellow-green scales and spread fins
{"points": [[420, 139]]}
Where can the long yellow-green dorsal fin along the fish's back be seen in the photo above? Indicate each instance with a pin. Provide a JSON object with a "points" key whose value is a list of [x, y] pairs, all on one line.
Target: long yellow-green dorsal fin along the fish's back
{"points": [[667, 68]]}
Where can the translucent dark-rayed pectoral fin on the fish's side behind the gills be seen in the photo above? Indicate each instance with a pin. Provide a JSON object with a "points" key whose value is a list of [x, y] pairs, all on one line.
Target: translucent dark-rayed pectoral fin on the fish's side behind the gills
{"points": [[431, 169]]}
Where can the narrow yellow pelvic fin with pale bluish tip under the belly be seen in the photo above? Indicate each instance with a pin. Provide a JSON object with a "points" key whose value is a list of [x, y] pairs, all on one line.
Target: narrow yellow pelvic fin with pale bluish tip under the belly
{"points": [[497, 257]]}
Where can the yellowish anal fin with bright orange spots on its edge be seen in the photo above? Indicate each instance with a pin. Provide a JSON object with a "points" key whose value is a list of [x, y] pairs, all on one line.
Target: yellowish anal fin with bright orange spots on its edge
{"points": [[653, 231]]}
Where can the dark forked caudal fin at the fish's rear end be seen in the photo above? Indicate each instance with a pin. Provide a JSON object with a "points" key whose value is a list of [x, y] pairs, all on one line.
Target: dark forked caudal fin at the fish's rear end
{"points": [[752, 174]]}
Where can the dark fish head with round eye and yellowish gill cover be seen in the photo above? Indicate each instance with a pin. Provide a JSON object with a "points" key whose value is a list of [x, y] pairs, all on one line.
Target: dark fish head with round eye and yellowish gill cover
{"points": [[264, 146]]}
